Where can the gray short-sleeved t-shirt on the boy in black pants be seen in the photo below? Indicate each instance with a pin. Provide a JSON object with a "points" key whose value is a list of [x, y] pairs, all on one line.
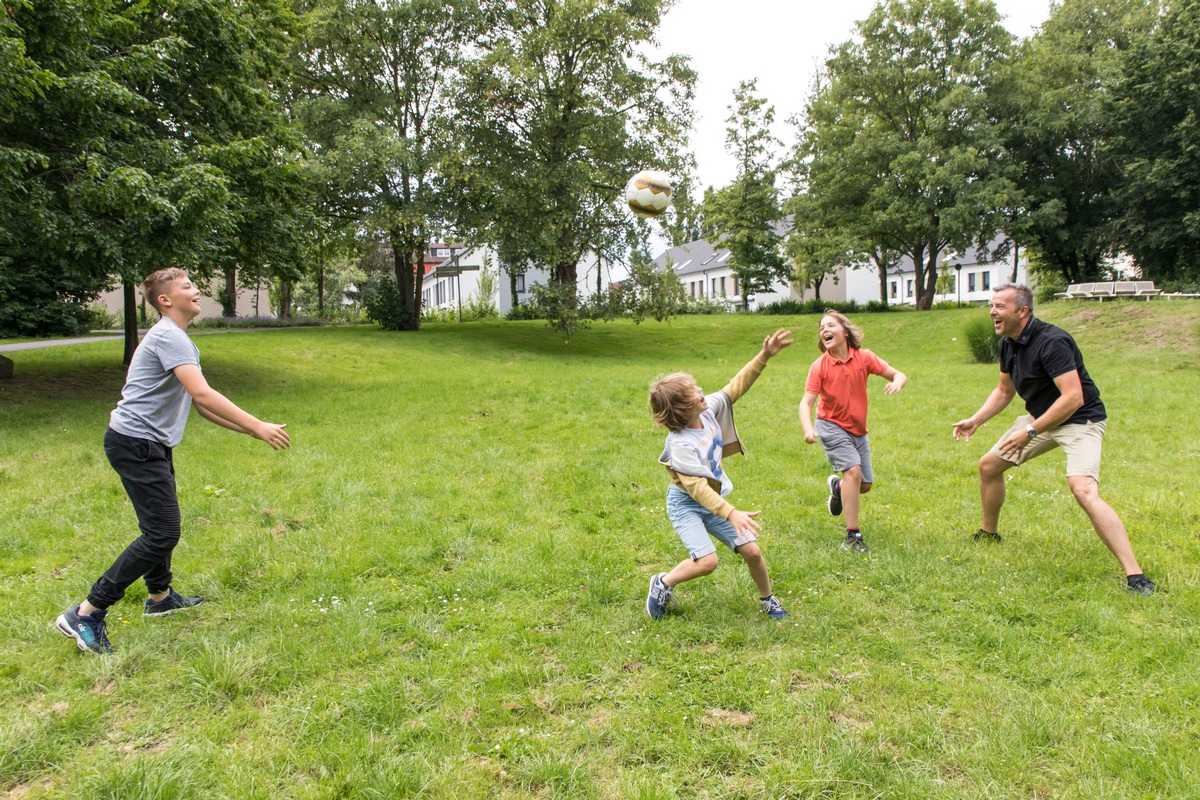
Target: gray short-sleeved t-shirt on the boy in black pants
{"points": [[154, 405]]}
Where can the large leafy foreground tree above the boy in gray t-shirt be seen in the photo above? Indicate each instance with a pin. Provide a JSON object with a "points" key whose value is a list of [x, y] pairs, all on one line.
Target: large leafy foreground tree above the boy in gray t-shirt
{"points": [[130, 145]]}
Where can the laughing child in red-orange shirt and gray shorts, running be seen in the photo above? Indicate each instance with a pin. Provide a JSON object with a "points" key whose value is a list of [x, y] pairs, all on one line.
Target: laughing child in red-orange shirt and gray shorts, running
{"points": [[839, 378]]}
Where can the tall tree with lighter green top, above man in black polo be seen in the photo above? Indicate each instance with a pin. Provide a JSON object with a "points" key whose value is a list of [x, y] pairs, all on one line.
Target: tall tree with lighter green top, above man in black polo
{"points": [[1060, 137]]}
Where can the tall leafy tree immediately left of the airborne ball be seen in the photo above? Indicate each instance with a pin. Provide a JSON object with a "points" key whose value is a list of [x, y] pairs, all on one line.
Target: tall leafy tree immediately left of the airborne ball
{"points": [[555, 116]]}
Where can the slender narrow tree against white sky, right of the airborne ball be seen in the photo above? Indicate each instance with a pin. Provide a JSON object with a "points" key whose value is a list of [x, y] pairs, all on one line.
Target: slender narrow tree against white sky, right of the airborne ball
{"points": [[746, 215]]}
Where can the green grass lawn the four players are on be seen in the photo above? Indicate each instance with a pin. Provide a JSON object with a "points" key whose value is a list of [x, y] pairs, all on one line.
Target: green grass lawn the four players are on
{"points": [[440, 591]]}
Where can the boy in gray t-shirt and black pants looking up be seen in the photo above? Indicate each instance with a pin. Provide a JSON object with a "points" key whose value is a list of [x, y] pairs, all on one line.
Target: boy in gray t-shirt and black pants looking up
{"points": [[164, 382]]}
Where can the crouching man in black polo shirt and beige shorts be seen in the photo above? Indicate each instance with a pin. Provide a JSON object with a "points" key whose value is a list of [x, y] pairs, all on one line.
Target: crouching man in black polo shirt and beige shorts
{"points": [[1042, 364]]}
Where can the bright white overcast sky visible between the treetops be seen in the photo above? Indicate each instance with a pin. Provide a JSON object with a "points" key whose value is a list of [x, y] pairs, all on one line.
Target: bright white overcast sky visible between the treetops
{"points": [[779, 43]]}
